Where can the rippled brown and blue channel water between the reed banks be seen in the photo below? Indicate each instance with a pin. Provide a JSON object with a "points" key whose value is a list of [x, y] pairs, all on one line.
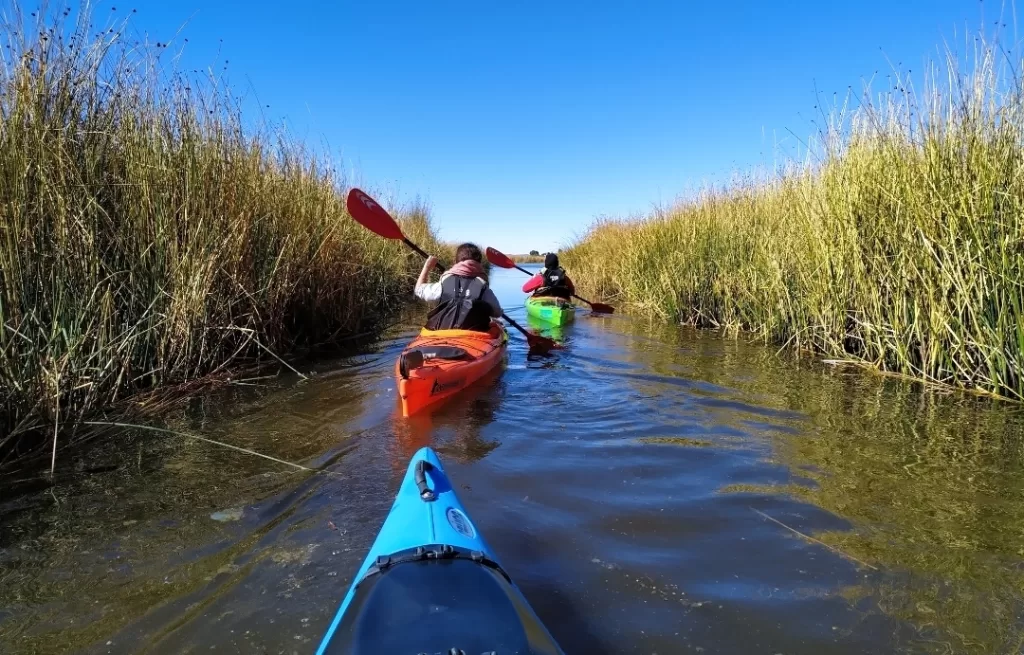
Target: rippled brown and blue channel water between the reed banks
{"points": [[653, 491]]}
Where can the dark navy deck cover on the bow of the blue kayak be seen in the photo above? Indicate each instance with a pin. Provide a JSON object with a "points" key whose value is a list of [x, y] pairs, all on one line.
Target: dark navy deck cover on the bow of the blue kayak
{"points": [[437, 605]]}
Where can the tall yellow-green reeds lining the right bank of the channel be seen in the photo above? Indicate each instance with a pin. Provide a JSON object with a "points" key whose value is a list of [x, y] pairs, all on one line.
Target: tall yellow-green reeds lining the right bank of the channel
{"points": [[900, 246]]}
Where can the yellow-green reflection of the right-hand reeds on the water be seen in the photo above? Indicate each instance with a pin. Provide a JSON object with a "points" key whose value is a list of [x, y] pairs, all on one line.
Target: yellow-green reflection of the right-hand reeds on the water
{"points": [[930, 482]]}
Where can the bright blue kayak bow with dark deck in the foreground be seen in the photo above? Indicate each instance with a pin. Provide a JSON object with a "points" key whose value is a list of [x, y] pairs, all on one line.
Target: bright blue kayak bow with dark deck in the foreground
{"points": [[432, 585]]}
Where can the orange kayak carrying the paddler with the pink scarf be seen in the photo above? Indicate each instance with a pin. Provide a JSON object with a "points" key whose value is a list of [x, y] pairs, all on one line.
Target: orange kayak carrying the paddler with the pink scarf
{"points": [[439, 364]]}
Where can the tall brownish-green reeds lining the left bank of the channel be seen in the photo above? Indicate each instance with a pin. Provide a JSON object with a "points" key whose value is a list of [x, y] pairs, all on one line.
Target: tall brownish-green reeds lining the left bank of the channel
{"points": [[149, 237]]}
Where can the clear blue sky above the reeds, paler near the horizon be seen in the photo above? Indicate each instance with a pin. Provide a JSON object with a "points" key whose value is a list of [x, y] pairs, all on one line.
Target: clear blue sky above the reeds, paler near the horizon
{"points": [[521, 122]]}
